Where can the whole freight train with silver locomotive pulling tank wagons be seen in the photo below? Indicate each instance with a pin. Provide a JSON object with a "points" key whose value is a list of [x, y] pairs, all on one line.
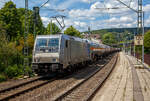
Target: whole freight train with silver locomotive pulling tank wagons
{"points": [[63, 52]]}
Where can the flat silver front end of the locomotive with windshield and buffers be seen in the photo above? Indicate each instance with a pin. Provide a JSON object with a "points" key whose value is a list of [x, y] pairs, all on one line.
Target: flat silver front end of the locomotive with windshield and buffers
{"points": [[46, 53]]}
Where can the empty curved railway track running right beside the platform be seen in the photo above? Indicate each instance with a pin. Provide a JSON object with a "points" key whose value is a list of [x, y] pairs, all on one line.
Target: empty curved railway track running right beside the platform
{"points": [[85, 90]]}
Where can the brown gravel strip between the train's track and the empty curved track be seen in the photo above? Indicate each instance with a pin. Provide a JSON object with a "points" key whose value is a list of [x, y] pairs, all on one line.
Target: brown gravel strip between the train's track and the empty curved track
{"points": [[53, 90]]}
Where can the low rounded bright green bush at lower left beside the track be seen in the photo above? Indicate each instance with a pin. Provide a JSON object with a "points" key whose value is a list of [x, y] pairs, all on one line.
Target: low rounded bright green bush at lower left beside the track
{"points": [[13, 71]]}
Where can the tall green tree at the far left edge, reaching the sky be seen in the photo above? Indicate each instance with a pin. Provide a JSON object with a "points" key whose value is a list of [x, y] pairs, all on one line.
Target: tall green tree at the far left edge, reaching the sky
{"points": [[9, 15]]}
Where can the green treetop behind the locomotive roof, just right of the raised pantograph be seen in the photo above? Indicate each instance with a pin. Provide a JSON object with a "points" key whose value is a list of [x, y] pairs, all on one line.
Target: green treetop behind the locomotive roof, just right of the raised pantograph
{"points": [[72, 31]]}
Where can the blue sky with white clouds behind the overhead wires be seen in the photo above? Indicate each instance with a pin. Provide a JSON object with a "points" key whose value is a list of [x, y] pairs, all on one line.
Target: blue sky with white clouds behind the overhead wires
{"points": [[83, 13]]}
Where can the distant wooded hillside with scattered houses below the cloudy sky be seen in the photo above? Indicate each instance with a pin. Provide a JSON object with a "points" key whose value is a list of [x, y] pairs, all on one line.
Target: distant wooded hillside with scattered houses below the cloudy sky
{"points": [[119, 35]]}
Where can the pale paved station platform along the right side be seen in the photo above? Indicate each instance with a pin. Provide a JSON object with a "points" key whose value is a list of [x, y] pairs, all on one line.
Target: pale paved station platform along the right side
{"points": [[127, 82]]}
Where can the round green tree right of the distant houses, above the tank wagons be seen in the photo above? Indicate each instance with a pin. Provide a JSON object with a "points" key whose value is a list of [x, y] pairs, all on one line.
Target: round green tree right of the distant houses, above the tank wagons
{"points": [[109, 39]]}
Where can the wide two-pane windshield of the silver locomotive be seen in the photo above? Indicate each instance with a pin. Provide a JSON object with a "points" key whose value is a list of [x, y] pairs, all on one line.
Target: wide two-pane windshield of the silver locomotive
{"points": [[47, 45]]}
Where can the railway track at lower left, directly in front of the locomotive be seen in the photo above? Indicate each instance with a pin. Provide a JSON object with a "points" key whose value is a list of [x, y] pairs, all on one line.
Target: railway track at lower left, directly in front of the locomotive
{"points": [[11, 92]]}
